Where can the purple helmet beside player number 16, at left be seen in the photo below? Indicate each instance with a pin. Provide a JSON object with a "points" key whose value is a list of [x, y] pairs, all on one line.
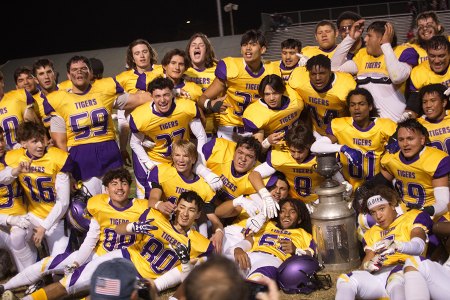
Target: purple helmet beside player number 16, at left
{"points": [[76, 214]]}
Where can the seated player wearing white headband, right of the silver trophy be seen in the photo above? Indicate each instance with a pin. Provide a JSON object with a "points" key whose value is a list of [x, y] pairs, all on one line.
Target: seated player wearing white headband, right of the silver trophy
{"points": [[387, 244]]}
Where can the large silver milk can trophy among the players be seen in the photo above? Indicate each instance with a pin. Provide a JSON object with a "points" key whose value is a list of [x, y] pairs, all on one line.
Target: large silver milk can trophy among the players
{"points": [[333, 220]]}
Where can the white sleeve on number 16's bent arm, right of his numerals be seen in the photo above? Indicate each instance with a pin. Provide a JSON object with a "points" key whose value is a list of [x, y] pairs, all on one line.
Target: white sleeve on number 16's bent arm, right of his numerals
{"points": [[62, 187]]}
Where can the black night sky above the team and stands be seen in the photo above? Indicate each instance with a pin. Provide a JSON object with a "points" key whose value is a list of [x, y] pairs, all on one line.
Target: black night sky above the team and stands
{"points": [[39, 28]]}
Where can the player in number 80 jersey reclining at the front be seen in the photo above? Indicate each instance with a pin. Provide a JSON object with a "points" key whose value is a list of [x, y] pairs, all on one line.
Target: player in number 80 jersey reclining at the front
{"points": [[153, 254]]}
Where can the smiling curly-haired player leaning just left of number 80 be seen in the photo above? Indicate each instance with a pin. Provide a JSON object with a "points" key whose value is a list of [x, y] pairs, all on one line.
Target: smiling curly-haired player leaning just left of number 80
{"points": [[105, 212]]}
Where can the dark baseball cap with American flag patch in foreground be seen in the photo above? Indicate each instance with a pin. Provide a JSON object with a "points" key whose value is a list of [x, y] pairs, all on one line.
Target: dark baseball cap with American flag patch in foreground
{"points": [[113, 279]]}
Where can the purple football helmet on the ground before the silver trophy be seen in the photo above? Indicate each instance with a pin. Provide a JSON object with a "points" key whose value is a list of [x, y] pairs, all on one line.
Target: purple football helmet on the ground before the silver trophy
{"points": [[297, 274]]}
